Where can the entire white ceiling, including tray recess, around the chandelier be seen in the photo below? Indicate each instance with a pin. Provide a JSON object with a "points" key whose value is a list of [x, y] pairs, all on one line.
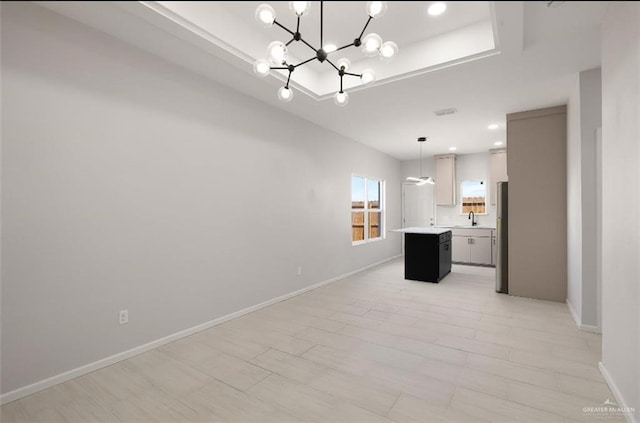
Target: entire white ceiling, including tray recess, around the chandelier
{"points": [[538, 51]]}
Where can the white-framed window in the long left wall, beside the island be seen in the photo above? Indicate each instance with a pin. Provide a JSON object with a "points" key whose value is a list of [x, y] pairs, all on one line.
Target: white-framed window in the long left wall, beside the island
{"points": [[367, 199]]}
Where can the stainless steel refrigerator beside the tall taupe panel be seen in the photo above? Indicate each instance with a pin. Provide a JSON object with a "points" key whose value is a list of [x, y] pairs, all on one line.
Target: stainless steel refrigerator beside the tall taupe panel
{"points": [[502, 238]]}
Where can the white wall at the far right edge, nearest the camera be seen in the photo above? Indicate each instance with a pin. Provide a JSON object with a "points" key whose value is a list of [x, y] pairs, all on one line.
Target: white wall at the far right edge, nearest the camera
{"points": [[621, 201]]}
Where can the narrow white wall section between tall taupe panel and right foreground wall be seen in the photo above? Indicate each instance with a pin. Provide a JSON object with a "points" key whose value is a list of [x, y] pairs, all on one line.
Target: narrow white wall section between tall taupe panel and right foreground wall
{"points": [[584, 117]]}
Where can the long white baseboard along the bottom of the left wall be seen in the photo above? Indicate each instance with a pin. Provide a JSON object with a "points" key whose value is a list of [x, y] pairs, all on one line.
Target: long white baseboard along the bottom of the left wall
{"points": [[88, 368]]}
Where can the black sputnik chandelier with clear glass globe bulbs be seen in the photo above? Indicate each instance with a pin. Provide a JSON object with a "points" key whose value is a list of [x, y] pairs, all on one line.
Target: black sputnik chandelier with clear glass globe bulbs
{"points": [[277, 52]]}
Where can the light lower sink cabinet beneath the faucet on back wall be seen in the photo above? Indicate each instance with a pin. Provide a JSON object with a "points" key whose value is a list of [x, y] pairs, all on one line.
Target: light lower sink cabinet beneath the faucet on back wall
{"points": [[471, 248]]}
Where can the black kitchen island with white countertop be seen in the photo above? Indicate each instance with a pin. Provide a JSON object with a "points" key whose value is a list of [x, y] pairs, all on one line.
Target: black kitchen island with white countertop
{"points": [[427, 253]]}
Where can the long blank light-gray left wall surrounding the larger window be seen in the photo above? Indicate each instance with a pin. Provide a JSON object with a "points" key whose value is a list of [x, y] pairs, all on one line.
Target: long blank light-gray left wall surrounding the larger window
{"points": [[130, 183]]}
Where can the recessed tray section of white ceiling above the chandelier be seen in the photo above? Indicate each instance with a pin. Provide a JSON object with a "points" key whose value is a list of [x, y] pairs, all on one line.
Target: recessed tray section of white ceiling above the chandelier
{"points": [[465, 32]]}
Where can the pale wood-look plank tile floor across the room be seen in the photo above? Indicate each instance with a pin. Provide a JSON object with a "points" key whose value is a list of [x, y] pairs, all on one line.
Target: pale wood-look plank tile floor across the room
{"points": [[370, 348]]}
